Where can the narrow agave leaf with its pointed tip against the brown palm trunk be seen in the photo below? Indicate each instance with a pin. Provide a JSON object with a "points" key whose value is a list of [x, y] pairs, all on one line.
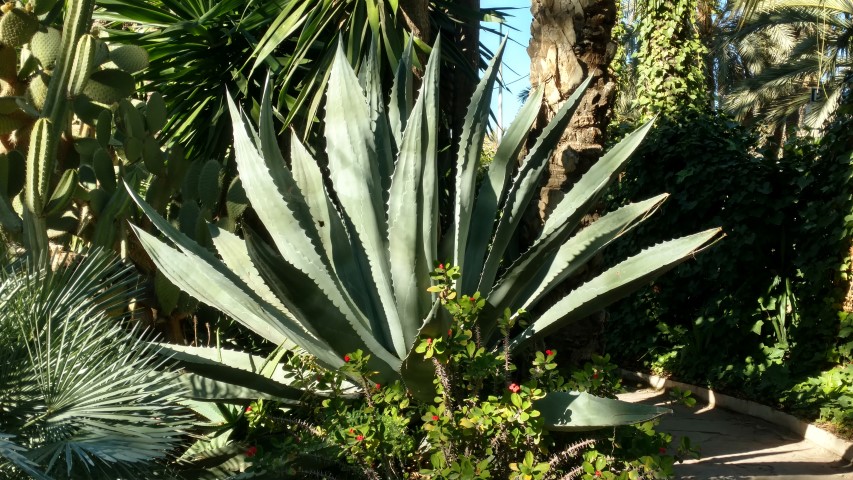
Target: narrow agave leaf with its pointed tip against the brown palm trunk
{"points": [[525, 185]]}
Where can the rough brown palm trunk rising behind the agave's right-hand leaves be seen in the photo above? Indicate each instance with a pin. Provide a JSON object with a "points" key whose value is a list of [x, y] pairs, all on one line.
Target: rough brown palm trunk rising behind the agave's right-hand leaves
{"points": [[572, 40]]}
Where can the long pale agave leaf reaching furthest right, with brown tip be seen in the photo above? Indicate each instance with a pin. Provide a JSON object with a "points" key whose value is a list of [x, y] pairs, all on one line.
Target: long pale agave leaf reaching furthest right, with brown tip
{"points": [[615, 283]]}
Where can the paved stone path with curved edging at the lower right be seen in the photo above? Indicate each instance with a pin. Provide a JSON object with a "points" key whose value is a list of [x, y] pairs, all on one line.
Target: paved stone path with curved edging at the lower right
{"points": [[739, 447]]}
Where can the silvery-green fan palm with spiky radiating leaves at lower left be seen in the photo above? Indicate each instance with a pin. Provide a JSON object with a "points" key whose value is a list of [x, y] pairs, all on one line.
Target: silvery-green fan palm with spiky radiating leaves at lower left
{"points": [[81, 395]]}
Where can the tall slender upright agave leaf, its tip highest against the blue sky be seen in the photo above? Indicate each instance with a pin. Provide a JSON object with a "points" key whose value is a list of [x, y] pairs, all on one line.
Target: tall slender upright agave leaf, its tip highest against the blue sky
{"points": [[468, 161]]}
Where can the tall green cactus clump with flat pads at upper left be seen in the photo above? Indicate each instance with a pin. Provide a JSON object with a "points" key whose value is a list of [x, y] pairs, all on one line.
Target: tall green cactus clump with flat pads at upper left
{"points": [[56, 188]]}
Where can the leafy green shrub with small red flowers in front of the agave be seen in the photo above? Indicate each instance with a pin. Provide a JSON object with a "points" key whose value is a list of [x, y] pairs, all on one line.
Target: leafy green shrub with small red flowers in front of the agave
{"points": [[480, 422]]}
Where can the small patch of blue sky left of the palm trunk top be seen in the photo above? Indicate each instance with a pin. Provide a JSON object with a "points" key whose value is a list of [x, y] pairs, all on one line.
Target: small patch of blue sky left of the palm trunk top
{"points": [[516, 61]]}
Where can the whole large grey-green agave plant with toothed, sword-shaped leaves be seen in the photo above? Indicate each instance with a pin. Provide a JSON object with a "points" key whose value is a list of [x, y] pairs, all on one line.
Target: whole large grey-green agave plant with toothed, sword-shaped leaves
{"points": [[344, 261]]}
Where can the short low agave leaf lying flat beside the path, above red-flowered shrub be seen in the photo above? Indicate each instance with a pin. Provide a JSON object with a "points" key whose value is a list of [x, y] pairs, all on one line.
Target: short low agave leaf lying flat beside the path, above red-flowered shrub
{"points": [[580, 411]]}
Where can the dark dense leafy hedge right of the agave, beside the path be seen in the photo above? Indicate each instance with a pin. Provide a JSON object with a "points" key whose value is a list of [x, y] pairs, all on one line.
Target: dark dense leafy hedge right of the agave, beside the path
{"points": [[785, 262]]}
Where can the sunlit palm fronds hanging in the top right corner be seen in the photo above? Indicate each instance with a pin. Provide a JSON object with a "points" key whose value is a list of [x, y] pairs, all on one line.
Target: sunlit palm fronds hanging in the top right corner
{"points": [[797, 54]]}
